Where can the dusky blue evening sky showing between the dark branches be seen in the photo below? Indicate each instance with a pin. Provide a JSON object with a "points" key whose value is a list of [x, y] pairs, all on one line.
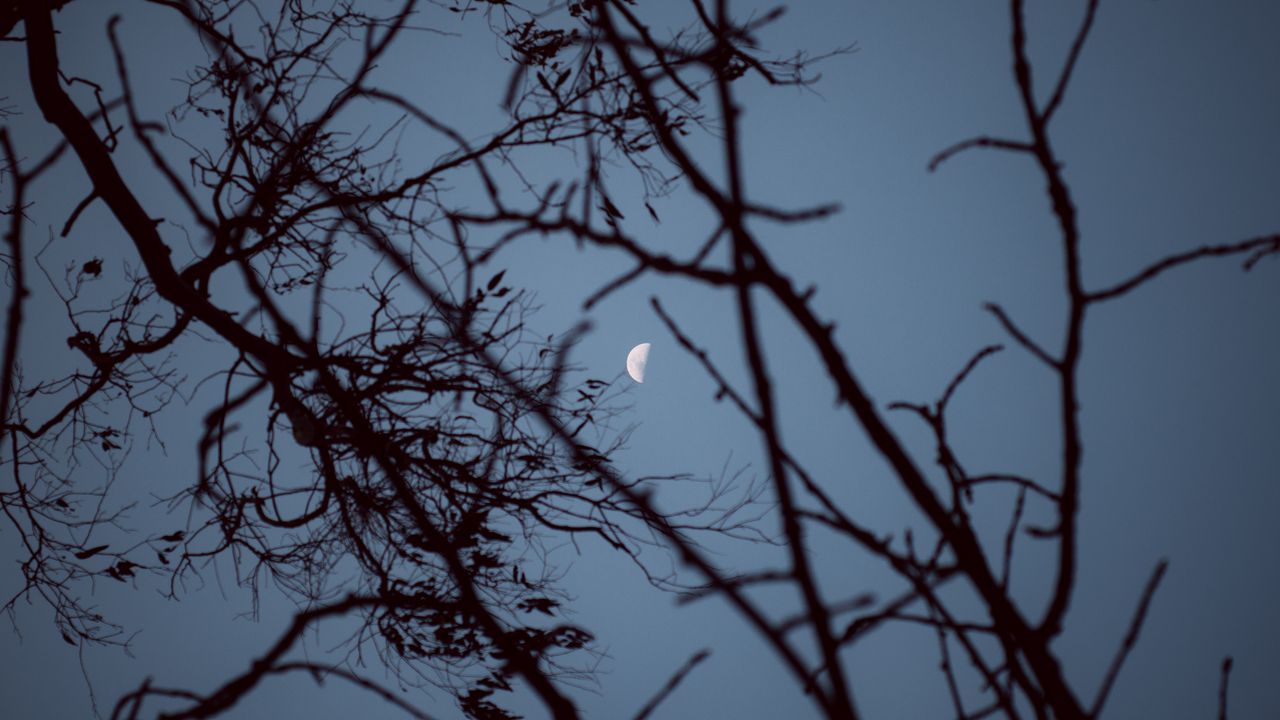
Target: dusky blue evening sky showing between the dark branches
{"points": [[1171, 138]]}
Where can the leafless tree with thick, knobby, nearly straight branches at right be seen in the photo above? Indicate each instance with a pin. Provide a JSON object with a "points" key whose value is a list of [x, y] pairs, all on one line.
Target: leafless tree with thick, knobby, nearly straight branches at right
{"points": [[1008, 644]]}
